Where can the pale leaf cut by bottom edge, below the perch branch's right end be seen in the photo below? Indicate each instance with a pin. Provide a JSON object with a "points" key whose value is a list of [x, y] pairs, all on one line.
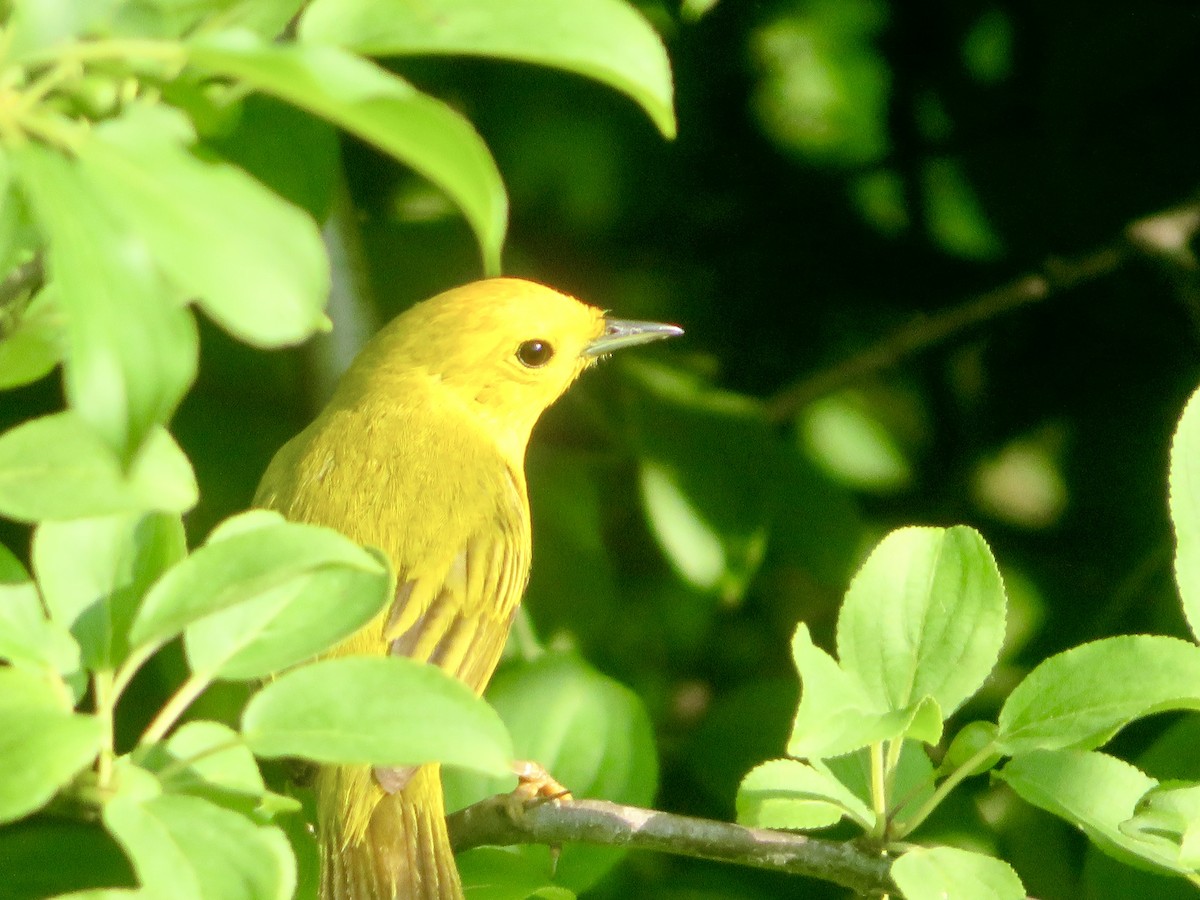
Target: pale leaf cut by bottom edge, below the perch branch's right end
{"points": [[941, 873]]}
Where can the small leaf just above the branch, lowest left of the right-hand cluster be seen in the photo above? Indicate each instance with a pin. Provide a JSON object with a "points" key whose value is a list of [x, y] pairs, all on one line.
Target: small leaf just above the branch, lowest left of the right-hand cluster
{"points": [[794, 795]]}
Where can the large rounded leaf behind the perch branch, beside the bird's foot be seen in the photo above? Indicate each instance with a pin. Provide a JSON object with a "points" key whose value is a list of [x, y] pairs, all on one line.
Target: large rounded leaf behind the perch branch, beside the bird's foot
{"points": [[590, 733]]}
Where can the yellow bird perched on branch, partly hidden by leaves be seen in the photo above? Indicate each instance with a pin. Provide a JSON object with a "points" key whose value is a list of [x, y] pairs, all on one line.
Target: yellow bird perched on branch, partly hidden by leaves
{"points": [[422, 454]]}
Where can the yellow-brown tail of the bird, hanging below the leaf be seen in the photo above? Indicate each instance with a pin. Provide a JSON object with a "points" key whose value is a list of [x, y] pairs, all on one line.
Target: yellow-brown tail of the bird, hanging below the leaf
{"points": [[381, 847]]}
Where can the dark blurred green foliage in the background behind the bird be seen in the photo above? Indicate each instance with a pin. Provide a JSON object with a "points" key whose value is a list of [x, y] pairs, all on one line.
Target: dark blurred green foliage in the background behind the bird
{"points": [[842, 170]]}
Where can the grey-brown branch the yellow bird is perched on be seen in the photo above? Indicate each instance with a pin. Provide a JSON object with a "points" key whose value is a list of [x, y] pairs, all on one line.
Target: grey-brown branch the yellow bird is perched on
{"points": [[494, 823]]}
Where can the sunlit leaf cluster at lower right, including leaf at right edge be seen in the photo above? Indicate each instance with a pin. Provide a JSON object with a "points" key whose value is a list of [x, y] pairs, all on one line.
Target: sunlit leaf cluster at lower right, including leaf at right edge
{"points": [[919, 635]]}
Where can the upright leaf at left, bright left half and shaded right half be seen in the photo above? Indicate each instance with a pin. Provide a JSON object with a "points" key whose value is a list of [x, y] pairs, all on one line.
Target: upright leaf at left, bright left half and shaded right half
{"points": [[95, 572]]}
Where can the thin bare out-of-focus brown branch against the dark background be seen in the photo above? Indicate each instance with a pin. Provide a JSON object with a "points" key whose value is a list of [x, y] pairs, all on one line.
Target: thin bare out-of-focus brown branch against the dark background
{"points": [[1165, 236]]}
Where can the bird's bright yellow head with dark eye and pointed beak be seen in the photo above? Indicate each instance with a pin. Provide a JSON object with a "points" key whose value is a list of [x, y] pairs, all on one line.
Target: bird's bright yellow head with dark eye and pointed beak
{"points": [[505, 347]]}
